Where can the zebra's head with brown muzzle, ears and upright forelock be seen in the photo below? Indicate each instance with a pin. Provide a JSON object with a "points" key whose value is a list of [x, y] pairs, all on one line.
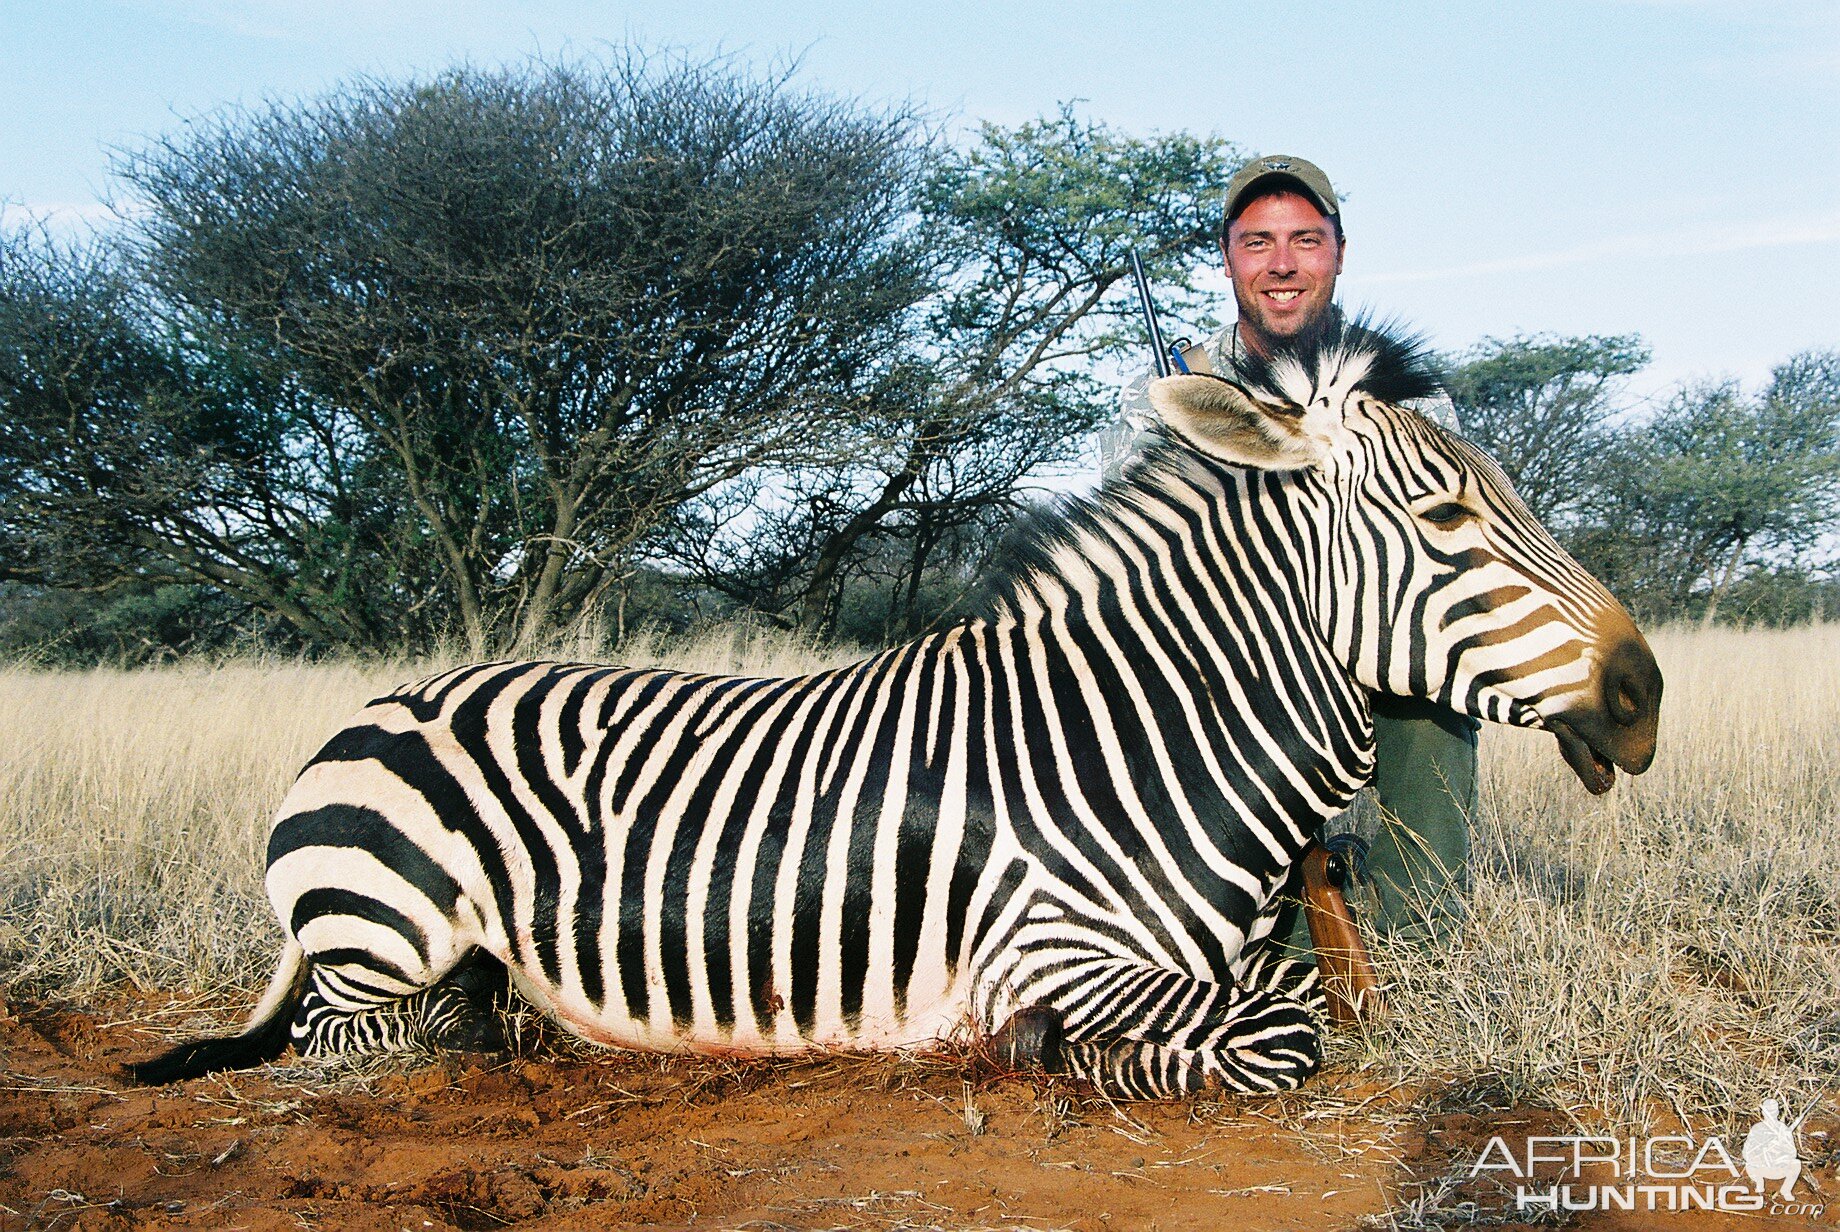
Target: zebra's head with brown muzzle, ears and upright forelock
{"points": [[1427, 573]]}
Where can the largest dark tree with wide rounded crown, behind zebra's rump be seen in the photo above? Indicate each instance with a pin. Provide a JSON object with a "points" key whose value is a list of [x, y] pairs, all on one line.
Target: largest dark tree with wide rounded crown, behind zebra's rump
{"points": [[490, 328]]}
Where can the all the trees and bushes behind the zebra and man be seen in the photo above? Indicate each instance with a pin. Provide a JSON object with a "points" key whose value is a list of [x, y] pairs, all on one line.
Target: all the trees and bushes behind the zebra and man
{"points": [[501, 354]]}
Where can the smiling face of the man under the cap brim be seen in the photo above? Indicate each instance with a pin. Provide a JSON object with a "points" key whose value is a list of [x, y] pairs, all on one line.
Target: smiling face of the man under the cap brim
{"points": [[1283, 257]]}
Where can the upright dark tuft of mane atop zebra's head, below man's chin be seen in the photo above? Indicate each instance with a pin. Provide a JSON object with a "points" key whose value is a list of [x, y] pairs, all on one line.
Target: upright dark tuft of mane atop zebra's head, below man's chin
{"points": [[1350, 354]]}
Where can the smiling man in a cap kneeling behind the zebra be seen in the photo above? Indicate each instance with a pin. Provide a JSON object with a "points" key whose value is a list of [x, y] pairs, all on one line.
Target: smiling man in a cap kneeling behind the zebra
{"points": [[1283, 244]]}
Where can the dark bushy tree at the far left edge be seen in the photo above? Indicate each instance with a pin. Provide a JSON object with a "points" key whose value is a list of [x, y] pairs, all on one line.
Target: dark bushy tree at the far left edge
{"points": [[128, 459]]}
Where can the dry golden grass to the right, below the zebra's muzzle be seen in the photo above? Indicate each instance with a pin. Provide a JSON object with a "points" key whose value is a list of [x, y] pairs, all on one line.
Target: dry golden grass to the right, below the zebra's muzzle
{"points": [[1672, 950]]}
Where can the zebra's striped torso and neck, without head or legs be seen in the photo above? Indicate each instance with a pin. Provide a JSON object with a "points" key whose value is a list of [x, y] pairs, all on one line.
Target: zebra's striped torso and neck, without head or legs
{"points": [[864, 858]]}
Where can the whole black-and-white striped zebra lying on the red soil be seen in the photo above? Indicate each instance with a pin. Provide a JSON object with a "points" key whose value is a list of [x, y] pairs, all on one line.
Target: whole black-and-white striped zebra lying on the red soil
{"points": [[1061, 825]]}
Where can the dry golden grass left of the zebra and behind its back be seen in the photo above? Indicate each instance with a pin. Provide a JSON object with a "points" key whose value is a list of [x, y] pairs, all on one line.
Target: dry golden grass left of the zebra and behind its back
{"points": [[135, 804]]}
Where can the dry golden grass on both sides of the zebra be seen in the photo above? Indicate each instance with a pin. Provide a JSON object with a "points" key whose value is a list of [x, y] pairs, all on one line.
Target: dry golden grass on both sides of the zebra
{"points": [[1670, 948]]}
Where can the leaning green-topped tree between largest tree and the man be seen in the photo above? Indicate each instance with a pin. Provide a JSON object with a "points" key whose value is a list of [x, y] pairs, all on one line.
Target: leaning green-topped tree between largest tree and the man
{"points": [[1031, 231]]}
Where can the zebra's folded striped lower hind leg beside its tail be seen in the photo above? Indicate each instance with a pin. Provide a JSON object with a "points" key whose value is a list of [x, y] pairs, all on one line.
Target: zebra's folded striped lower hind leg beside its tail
{"points": [[461, 1014]]}
